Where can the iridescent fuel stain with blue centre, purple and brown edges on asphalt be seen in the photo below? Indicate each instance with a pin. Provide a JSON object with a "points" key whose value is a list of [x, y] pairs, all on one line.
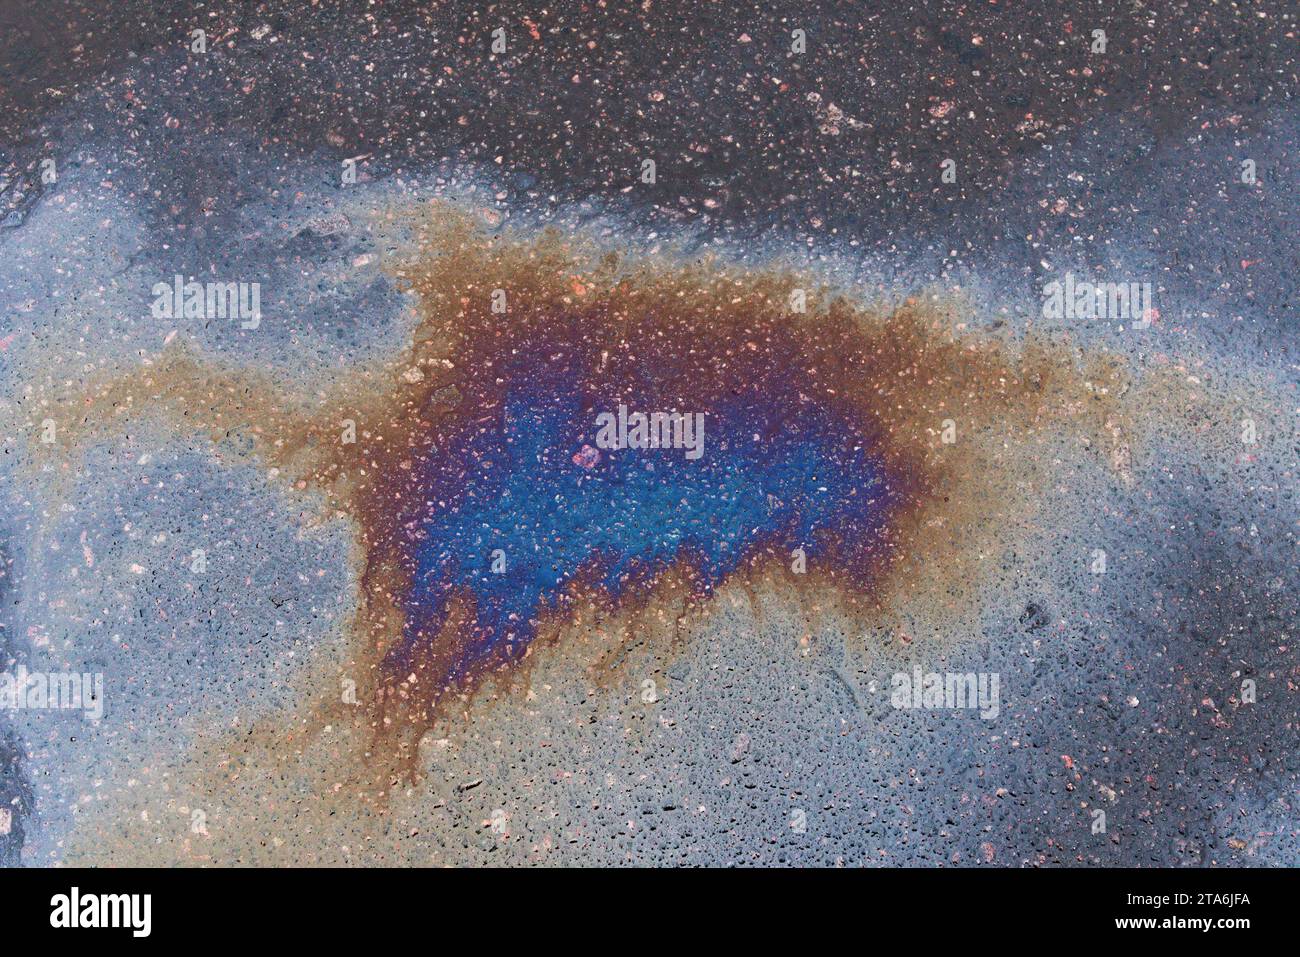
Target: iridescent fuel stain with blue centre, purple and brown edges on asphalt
{"points": [[488, 517]]}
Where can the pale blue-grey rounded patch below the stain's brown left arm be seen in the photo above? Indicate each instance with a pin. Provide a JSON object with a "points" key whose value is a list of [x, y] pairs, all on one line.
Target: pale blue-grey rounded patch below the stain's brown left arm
{"points": [[196, 594]]}
